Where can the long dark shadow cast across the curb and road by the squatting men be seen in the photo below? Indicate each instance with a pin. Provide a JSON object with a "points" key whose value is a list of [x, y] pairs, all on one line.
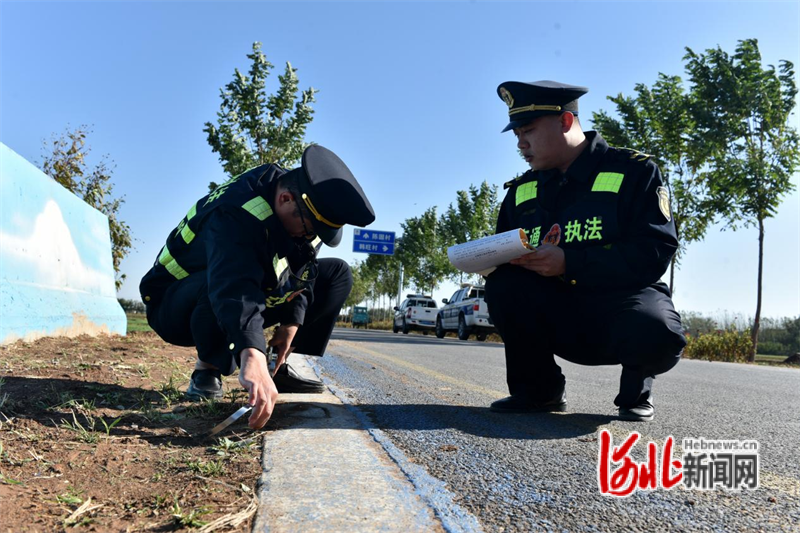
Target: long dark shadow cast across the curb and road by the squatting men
{"points": [[477, 421]]}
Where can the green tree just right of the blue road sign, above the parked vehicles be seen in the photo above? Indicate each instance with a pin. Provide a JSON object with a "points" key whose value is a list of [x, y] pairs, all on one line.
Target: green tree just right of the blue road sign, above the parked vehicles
{"points": [[422, 251]]}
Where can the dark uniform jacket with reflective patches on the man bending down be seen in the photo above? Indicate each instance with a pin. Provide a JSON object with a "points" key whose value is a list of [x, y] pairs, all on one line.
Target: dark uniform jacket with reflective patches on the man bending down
{"points": [[233, 237]]}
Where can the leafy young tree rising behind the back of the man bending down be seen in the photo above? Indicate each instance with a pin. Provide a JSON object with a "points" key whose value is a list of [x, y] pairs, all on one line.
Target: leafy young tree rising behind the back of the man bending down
{"points": [[255, 128]]}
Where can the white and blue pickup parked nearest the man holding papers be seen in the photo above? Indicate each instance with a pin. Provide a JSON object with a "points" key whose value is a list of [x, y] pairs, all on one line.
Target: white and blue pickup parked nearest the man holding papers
{"points": [[465, 313]]}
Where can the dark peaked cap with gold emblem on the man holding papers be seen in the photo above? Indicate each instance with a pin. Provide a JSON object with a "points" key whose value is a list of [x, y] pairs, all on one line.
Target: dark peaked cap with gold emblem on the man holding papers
{"points": [[527, 101]]}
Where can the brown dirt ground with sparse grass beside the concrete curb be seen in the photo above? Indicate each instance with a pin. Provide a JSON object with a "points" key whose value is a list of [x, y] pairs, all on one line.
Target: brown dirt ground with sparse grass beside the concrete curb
{"points": [[95, 435]]}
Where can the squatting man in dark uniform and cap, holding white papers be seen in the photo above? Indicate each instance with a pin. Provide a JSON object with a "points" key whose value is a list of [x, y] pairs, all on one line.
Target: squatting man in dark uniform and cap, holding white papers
{"points": [[590, 293]]}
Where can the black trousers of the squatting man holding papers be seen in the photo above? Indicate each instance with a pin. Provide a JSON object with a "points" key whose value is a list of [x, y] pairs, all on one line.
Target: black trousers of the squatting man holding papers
{"points": [[538, 317]]}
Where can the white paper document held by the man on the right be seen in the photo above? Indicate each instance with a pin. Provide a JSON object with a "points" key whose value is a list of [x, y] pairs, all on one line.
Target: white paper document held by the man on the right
{"points": [[482, 256]]}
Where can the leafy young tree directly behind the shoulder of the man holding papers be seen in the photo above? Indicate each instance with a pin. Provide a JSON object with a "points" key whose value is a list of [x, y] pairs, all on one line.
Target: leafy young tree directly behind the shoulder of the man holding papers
{"points": [[657, 121]]}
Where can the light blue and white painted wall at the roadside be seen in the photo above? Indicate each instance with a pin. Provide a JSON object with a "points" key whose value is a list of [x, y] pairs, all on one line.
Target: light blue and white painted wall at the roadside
{"points": [[56, 272]]}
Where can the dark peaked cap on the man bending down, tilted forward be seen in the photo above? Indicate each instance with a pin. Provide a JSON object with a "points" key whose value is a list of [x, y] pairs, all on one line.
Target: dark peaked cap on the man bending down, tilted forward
{"points": [[331, 194]]}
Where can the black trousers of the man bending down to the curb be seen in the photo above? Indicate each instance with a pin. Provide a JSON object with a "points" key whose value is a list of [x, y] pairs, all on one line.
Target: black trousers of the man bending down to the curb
{"points": [[184, 315]]}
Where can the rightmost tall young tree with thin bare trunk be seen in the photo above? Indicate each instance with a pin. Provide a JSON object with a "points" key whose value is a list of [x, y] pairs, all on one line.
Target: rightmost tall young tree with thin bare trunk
{"points": [[742, 113]]}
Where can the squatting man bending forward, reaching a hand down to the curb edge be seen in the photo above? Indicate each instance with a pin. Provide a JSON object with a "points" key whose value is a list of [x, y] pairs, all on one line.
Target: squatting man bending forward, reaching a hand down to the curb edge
{"points": [[219, 280]]}
